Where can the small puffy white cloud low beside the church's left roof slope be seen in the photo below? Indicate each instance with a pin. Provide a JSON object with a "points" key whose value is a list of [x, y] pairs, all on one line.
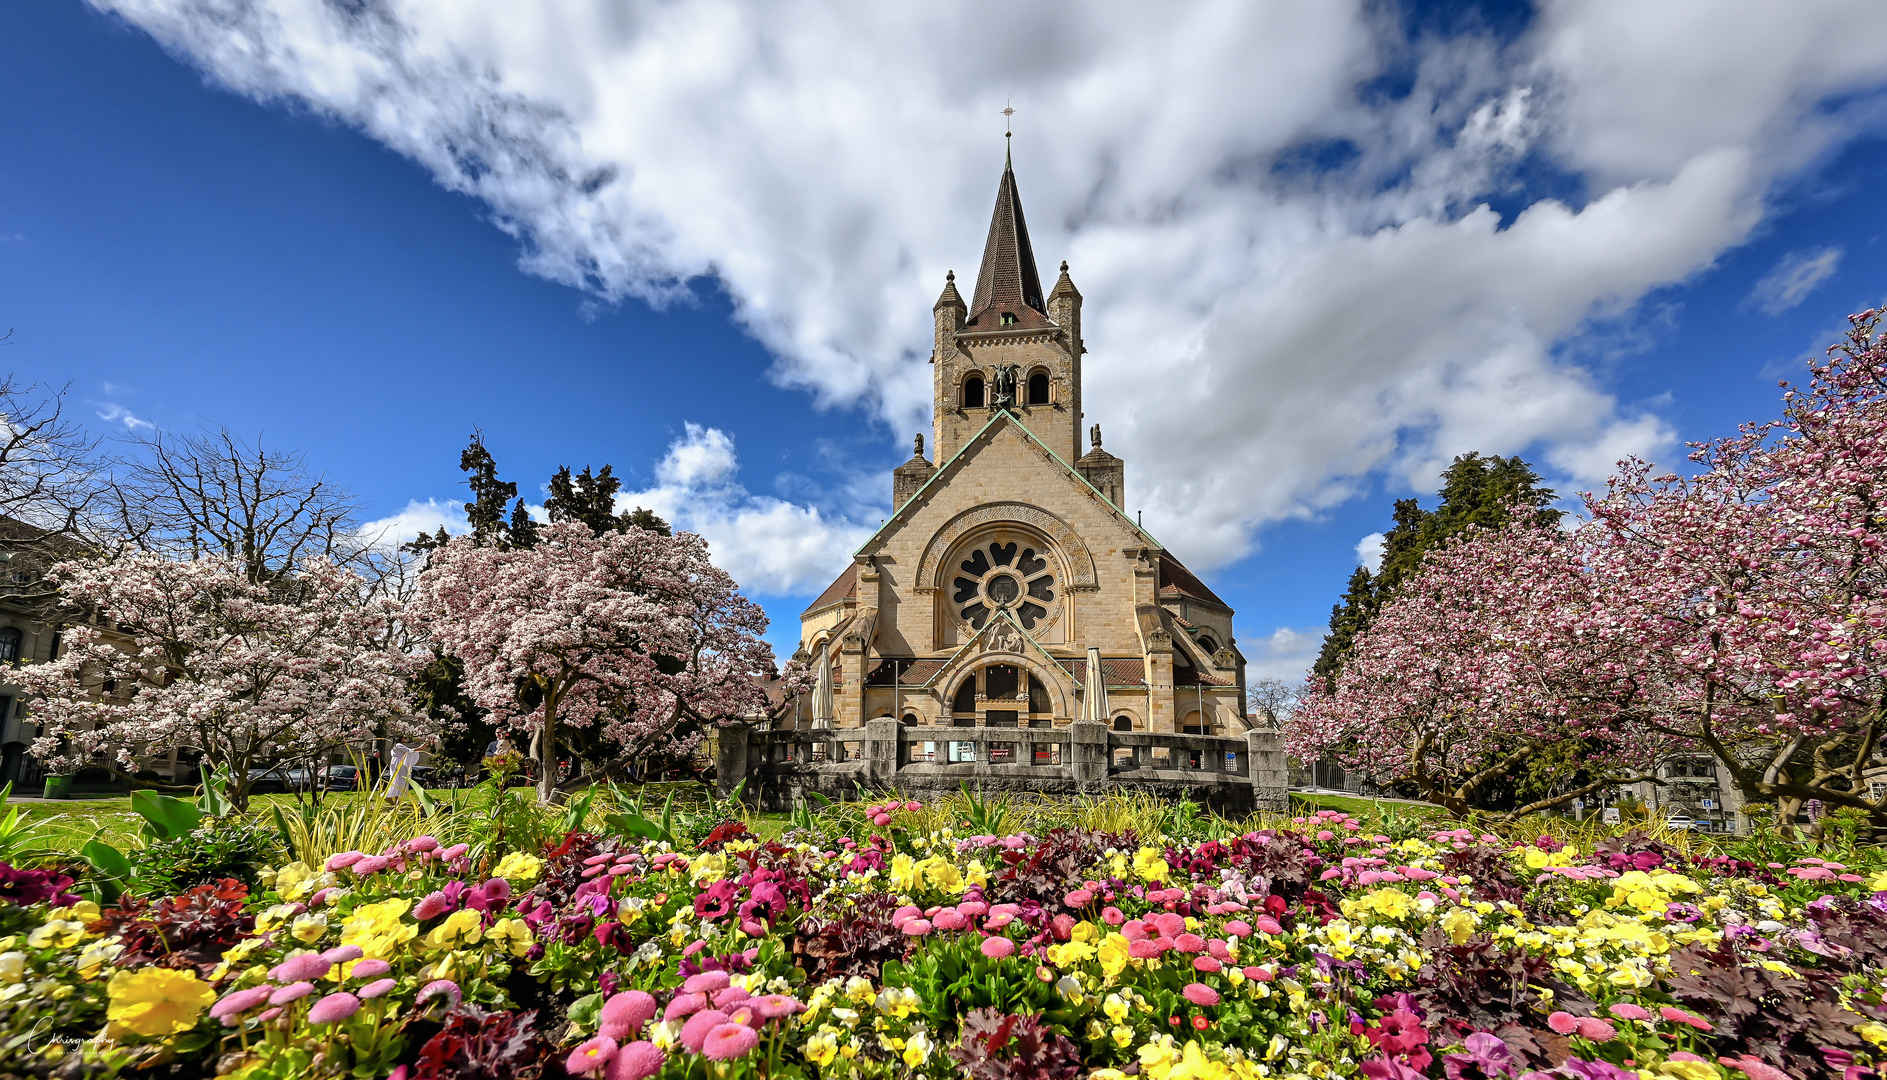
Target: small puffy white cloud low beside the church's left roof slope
{"points": [[769, 545]]}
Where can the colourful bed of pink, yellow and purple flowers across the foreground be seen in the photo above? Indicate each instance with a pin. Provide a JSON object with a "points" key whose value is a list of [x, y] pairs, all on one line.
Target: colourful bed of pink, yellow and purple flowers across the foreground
{"points": [[860, 949]]}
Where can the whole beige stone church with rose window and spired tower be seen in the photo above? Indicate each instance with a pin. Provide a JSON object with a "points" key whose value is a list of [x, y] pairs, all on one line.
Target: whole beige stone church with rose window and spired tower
{"points": [[1010, 586]]}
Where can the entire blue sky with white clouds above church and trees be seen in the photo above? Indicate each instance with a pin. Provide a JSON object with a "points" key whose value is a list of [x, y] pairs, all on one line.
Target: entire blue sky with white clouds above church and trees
{"points": [[1324, 246]]}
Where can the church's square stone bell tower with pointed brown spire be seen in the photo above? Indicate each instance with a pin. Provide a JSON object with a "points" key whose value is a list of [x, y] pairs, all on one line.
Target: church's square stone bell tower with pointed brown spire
{"points": [[1012, 346]]}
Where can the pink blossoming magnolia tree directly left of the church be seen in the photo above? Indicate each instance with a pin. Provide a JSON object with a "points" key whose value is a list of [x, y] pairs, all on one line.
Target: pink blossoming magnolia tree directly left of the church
{"points": [[627, 637]]}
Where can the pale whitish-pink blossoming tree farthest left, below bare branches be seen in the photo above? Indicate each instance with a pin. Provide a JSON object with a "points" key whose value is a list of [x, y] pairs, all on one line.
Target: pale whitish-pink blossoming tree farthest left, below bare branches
{"points": [[242, 671]]}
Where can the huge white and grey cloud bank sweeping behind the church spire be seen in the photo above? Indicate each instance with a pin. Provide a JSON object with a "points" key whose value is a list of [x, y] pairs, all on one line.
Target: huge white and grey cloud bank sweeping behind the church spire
{"points": [[1278, 212]]}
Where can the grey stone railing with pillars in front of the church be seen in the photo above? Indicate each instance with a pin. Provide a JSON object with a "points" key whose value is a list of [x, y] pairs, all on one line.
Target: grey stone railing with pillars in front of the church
{"points": [[782, 768]]}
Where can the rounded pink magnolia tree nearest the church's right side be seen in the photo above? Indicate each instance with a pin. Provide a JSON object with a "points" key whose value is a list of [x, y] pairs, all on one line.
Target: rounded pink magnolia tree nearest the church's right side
{"points": [[1484, 662]]}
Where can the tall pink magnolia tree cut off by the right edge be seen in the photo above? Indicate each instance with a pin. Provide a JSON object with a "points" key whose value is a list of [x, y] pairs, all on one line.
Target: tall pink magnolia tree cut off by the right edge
{"points": [[1763, 581]]}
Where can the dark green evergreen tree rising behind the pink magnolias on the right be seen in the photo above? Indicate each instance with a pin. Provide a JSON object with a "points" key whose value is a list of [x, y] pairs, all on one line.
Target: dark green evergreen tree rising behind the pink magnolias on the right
{"points": [[1477, 492]]}
